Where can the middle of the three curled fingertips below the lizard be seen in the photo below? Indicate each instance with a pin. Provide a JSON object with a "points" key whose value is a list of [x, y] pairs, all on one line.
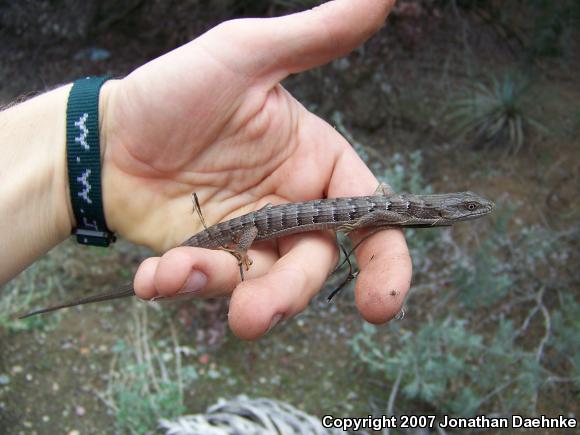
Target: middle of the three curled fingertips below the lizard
{"points": [[258, 304]]}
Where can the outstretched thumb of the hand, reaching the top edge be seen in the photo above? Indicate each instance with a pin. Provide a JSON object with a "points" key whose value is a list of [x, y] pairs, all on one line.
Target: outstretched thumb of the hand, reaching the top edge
{"points": [[297, 42]]}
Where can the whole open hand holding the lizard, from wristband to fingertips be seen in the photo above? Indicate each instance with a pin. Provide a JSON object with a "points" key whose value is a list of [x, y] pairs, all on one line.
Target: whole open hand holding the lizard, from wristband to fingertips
{"points": [[211, 117]]}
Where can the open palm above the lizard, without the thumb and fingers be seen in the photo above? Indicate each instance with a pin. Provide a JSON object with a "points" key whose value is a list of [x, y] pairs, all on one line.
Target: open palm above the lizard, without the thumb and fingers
{"points": [[182, 138]]}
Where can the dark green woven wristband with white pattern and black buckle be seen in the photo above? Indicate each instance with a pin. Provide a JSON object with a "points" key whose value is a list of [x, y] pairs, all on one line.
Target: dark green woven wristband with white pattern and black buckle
{"points": [[84, 162]]}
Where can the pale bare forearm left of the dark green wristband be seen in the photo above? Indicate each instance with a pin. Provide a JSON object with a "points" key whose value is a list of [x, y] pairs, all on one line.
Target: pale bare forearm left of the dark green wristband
{"points": [[35, 212]]}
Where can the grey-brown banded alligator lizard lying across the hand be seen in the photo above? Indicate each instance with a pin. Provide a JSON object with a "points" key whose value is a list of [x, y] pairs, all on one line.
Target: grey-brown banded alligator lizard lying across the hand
{"points": [[381, 210]]}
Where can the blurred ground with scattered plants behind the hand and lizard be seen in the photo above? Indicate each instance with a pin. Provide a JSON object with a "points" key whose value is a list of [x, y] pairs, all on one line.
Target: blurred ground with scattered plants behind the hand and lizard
{"points": [[450, 95]]}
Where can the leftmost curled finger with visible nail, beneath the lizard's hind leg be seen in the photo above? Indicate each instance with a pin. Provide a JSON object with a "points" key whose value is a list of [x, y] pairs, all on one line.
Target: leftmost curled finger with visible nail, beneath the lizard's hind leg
{"points": [[198, 272]]}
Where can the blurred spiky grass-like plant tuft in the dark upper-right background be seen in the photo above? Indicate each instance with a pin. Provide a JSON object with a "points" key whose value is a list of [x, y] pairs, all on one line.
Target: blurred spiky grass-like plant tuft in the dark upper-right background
{"points": [[494, 112]]}
